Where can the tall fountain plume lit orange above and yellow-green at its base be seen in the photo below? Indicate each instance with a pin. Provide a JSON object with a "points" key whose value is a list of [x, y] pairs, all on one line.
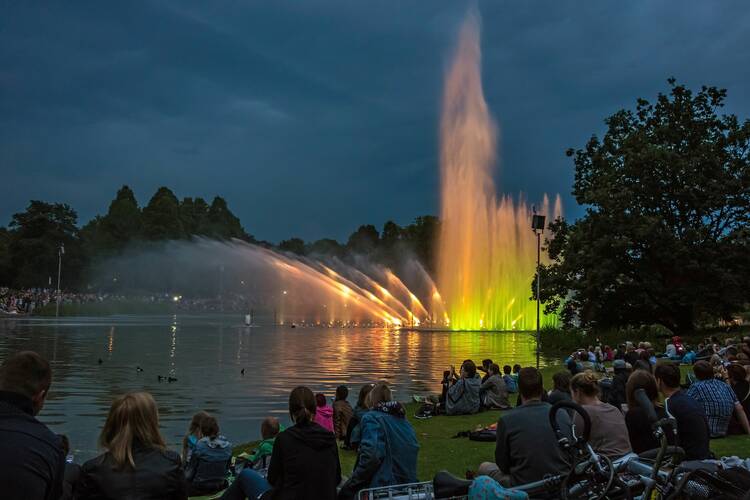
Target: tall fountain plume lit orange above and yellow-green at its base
{"points": [[487, 252]]}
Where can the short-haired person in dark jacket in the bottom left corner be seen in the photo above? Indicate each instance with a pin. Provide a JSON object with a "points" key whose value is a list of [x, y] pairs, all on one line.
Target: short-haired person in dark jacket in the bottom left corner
{"points": [[31, 457]]}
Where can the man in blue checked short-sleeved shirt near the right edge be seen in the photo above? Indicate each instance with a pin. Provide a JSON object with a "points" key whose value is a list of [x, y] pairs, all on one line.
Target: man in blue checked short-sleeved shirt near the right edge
{"points": [[718, 400]]}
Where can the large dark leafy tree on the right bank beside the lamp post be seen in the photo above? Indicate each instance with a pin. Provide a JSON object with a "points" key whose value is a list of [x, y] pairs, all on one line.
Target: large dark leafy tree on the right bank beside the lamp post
{"points": [[665, 236]]}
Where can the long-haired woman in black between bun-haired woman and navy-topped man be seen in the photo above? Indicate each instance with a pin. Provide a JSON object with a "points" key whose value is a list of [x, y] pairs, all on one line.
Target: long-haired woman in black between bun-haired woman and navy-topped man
{"points": [[639, 427]]}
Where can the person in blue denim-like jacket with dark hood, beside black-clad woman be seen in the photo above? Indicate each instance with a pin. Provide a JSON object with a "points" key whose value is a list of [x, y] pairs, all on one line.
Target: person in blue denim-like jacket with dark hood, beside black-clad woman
{"points": [[388, 450]]}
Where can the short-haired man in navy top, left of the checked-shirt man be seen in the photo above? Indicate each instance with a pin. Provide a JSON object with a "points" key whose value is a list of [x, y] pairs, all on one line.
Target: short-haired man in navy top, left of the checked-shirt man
{"points": [[692, 427]]}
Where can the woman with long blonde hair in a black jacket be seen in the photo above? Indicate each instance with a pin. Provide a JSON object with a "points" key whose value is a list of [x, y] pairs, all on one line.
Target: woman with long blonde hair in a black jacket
{"points": [[137, 464]]}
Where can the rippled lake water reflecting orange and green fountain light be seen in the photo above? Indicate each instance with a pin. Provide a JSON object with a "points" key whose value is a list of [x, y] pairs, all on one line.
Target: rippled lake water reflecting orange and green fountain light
{"points": [[206, 353]]}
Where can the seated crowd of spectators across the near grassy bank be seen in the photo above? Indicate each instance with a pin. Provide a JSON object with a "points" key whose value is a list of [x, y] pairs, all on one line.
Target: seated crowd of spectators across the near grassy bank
{"points": [[302, 460]]}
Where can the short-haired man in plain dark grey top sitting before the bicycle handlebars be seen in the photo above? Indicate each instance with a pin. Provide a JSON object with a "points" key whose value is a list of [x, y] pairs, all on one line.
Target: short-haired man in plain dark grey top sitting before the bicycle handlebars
{"points": [[526, 449]]}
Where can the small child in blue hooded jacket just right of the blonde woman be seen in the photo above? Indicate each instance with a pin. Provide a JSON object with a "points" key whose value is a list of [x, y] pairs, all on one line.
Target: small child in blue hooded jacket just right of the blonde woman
{"points": [[207, 468]]}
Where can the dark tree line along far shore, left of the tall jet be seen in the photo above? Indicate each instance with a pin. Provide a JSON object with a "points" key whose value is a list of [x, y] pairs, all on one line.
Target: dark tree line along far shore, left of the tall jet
{"points": [[29, 246]]}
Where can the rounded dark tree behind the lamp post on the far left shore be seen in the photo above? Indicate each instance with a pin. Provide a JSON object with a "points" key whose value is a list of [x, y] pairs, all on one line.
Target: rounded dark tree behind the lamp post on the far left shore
{"points": [[36, 236]]}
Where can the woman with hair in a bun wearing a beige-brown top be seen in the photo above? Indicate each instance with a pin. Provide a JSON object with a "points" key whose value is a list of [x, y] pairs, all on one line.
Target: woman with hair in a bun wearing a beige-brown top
{"points": [[609, 433]]}
